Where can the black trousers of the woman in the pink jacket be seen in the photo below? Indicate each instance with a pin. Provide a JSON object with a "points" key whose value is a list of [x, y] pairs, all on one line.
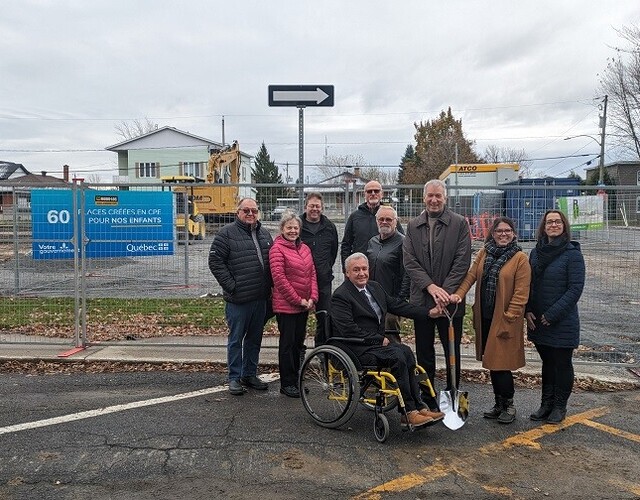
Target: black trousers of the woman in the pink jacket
{"points": [[292, 329]]}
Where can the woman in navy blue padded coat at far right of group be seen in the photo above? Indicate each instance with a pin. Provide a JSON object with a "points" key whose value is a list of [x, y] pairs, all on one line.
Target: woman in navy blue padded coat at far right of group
{"points": [[553, 323]]}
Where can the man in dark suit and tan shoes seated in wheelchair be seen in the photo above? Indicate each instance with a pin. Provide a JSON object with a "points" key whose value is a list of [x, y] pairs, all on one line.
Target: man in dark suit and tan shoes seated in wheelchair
{"points": [[358, 309]]}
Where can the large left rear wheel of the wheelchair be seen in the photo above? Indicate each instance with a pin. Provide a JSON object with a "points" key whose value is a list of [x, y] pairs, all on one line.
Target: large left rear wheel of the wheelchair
{"points": [[329, 386]]}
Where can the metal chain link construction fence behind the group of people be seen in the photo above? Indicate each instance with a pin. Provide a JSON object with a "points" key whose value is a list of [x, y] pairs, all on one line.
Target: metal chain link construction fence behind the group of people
{"points": [[99, 294]]}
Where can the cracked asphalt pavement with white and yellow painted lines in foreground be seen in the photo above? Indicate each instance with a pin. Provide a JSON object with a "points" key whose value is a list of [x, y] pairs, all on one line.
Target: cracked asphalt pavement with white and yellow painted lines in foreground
{"points": [[172, 435]]}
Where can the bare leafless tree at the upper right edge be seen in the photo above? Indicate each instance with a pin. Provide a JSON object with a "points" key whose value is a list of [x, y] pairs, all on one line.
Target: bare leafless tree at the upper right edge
{"points": [[621, 82]]}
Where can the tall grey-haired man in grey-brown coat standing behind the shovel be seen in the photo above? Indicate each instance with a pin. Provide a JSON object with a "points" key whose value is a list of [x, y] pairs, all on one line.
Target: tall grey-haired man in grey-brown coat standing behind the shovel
{"points": [[437, 256]]}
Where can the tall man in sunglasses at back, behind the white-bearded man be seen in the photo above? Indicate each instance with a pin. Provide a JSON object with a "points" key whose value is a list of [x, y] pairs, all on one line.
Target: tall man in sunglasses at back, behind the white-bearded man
{"points": [[361, 225]]}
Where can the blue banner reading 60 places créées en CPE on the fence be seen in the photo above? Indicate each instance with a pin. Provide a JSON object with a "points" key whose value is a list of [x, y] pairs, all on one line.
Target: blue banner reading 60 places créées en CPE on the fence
{"points": [[116, 223]]}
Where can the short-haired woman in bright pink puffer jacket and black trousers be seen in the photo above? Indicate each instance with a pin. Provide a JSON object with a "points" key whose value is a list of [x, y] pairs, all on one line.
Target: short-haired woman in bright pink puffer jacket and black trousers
{"points": [[295, 291]]}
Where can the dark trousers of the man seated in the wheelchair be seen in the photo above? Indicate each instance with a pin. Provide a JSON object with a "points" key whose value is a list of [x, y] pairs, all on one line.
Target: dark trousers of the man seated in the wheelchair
{"points": [[400, 361]]}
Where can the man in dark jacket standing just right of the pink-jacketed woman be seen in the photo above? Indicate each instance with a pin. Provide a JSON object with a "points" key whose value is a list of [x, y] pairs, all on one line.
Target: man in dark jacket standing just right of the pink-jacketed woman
{"points": [[320, 234]]}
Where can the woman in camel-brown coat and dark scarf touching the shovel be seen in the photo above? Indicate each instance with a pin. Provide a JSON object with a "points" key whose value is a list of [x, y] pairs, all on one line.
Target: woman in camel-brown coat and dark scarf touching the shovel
{"points": [[503, 273]]}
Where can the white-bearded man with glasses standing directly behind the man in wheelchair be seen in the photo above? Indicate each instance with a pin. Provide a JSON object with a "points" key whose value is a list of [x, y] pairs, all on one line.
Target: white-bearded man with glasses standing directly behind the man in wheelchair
{"points": [[385, 263]]}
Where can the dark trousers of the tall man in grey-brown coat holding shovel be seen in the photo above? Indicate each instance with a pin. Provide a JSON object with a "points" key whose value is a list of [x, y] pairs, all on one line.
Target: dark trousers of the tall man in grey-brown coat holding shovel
{"points": [[425, 350]]}
